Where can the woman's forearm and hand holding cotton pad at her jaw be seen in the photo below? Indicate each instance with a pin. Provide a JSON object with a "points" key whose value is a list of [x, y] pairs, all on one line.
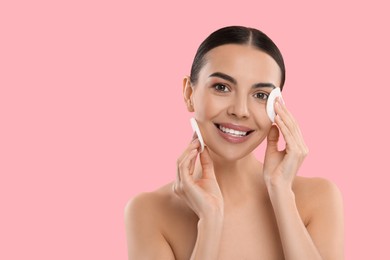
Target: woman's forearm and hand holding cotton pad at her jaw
{"points": [[204, 197]]}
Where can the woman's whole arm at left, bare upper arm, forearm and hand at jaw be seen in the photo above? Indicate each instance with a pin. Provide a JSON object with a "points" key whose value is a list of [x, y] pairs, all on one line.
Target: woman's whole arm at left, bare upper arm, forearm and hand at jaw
{"points": [[202, 195]]}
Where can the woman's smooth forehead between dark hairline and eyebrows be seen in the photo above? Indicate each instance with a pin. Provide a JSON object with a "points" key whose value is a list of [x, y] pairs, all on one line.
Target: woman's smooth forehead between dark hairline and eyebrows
{"points": [[243, 62]]}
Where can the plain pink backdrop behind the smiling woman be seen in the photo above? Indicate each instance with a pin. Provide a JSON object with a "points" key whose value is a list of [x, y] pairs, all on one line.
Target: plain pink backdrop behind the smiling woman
{"points": [[92, 113]]}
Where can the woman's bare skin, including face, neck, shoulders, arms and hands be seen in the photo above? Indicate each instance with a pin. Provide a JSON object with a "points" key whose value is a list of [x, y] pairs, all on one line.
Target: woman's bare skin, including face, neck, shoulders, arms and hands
{"points": [[224, 203]]}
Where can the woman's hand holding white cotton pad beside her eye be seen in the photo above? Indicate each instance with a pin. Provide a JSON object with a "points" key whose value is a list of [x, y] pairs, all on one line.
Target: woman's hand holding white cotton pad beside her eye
{"points": [[280, 167]]}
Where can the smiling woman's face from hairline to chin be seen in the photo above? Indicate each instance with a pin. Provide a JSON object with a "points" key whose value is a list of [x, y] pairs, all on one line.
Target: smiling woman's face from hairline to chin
{"points": [[229, 99]]}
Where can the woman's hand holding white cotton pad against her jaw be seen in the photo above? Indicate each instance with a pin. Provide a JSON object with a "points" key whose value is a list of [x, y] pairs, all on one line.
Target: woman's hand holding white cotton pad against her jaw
{"points": [[201, 193]]}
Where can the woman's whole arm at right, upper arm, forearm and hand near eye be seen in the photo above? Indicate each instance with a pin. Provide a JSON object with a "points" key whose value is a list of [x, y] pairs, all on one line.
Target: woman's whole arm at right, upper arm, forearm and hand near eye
{"points": [[323, 237]]}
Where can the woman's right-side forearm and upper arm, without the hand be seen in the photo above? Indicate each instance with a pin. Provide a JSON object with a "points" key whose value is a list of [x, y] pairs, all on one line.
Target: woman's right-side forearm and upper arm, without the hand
{"points": [[323, 236]]}
